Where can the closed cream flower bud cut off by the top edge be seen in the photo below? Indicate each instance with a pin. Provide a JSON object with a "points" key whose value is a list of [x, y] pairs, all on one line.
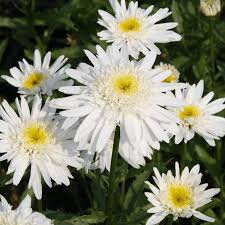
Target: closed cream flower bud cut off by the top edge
{"points": [[210, 7]]}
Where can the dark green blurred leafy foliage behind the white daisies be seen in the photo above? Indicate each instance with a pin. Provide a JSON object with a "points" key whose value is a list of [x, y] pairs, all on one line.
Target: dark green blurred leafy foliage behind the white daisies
{"points": [[67, 27]]}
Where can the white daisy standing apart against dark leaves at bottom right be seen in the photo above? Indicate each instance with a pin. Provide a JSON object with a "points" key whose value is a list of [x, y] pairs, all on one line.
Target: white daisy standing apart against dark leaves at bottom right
{"points": [[180, 195]]}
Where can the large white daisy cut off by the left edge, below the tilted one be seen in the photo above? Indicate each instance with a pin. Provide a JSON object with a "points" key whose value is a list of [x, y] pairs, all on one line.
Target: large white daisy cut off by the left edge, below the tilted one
{"points": [[36, 138]]}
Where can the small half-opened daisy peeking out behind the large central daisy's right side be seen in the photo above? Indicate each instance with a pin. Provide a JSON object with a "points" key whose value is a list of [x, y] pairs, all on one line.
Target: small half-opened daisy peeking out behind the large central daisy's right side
{"points": [[175, 74]]}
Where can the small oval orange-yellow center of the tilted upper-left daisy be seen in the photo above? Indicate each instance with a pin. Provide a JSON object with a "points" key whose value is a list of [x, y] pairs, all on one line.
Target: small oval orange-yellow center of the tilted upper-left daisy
{"points": [[33, 80]]}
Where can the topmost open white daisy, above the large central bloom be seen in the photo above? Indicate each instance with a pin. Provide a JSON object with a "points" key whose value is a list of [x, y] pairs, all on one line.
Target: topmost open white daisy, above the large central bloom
{"points": [[135, 29]]}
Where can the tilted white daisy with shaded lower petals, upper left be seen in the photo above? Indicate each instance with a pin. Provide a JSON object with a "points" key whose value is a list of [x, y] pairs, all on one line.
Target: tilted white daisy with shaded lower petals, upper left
{"points": [[39, 78]]}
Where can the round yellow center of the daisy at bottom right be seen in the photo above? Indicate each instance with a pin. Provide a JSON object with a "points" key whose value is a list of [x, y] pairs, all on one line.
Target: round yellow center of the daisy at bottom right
{"points": [[179, 196]]}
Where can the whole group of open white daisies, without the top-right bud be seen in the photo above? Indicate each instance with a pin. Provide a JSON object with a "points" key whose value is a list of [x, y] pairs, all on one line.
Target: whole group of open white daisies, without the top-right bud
{"points": [[121, 87]]}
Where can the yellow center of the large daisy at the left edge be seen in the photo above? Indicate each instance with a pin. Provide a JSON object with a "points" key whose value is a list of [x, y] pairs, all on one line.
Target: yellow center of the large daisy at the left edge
{"points": [[34, 135]]}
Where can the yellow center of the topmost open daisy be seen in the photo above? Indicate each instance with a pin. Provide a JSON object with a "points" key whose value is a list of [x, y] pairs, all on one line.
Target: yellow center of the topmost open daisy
{"points": [[131, 24]]}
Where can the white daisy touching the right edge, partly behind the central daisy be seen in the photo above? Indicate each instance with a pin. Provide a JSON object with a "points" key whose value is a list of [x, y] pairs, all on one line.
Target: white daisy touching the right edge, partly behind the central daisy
{"points": [[197, 115]]}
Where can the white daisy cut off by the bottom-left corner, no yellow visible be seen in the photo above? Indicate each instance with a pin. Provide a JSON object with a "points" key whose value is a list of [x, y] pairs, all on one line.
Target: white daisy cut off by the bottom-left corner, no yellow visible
{"points": [[23, 215]]}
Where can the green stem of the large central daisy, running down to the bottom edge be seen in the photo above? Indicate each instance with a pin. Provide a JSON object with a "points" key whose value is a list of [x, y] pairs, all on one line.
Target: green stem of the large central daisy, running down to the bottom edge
{"points": [[112, 178]]}
